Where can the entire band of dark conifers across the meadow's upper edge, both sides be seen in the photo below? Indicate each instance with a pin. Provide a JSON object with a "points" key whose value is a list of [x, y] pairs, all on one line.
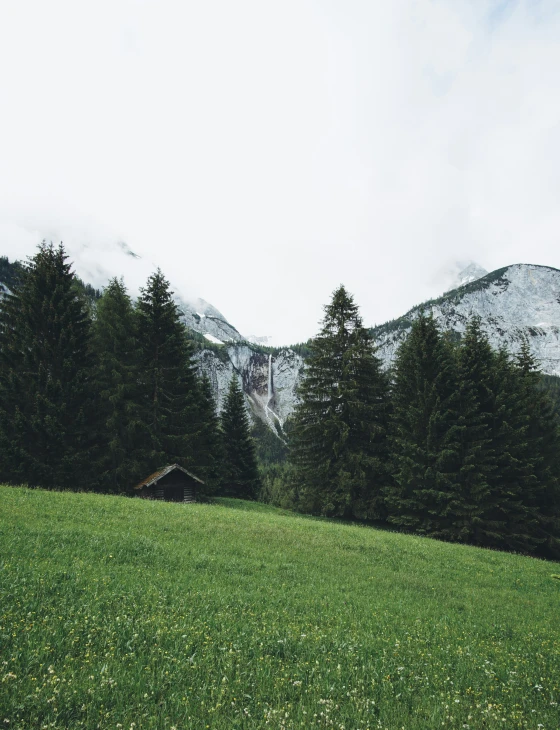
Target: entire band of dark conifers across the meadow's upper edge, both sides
{"points": [[456, 441]]}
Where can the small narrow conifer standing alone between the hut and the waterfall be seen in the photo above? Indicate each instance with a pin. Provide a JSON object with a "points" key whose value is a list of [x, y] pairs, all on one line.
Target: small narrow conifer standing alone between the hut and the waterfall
{"points": [[240, 471]]}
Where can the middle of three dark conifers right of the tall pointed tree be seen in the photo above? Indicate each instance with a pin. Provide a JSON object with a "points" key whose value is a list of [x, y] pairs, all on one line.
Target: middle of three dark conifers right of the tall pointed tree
{"points": [[495, 474]]}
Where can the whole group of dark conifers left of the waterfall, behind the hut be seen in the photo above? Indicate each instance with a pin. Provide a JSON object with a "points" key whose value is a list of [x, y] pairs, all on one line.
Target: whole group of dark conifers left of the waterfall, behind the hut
{"points": [[99, 398]]}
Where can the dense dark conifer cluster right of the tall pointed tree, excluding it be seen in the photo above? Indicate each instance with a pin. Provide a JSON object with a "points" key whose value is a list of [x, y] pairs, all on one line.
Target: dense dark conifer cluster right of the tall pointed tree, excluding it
{"points": [[474, 444]]}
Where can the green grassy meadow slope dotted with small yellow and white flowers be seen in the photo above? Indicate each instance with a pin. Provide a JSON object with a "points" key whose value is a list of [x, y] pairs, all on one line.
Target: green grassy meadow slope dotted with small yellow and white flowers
{"points": [[126, 613]]}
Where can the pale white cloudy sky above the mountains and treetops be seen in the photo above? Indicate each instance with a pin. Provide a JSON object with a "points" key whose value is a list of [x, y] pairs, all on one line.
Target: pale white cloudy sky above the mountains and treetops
{"points": [[263, 152]]}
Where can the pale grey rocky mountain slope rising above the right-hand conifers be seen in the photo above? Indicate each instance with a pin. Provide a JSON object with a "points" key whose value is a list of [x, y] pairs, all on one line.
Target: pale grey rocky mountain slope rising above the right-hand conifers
{"points": [[517, 301]]}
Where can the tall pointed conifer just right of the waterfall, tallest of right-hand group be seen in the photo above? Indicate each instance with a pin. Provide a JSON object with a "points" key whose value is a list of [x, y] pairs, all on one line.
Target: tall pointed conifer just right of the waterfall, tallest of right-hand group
{"points": [[337, 444]]}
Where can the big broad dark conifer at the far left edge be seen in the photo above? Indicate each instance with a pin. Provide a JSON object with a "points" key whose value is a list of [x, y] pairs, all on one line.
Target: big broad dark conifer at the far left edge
{"points": [[46, 413]]}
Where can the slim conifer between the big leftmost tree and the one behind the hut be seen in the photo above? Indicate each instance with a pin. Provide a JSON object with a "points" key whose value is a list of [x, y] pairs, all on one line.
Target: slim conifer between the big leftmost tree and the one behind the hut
{"points": [[121, 462]]}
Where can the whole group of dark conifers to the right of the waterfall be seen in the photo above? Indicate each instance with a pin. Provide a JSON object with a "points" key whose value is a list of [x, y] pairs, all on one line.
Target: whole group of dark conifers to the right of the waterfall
{"points": [[456, 440]]}
